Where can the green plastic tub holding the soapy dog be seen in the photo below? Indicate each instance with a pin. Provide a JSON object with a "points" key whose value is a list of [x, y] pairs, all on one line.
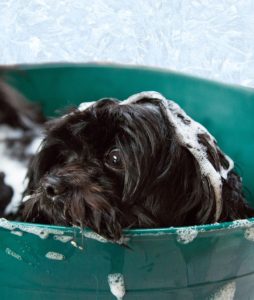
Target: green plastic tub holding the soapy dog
{"points": [[204, 262]]}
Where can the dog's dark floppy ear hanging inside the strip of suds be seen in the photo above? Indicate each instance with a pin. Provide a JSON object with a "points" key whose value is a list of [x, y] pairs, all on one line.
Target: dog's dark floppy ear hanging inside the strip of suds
{"points": [[180, 195]]}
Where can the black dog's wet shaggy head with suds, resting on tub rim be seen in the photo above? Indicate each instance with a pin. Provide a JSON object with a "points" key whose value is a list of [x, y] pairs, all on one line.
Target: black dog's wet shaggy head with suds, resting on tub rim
{"points": [[140, 163]]}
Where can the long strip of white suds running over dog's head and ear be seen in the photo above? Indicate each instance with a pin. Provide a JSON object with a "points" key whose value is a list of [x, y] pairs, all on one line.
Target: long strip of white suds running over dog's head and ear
{"points": [[187, 131]]}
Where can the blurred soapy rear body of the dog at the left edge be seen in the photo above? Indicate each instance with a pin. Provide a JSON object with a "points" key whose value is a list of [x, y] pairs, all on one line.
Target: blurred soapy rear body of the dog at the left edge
{"points": [[20, 134]]}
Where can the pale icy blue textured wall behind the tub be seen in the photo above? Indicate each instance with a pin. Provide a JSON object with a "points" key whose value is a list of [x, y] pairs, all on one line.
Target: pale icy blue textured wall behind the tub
{"points": [[211, 38]]}
